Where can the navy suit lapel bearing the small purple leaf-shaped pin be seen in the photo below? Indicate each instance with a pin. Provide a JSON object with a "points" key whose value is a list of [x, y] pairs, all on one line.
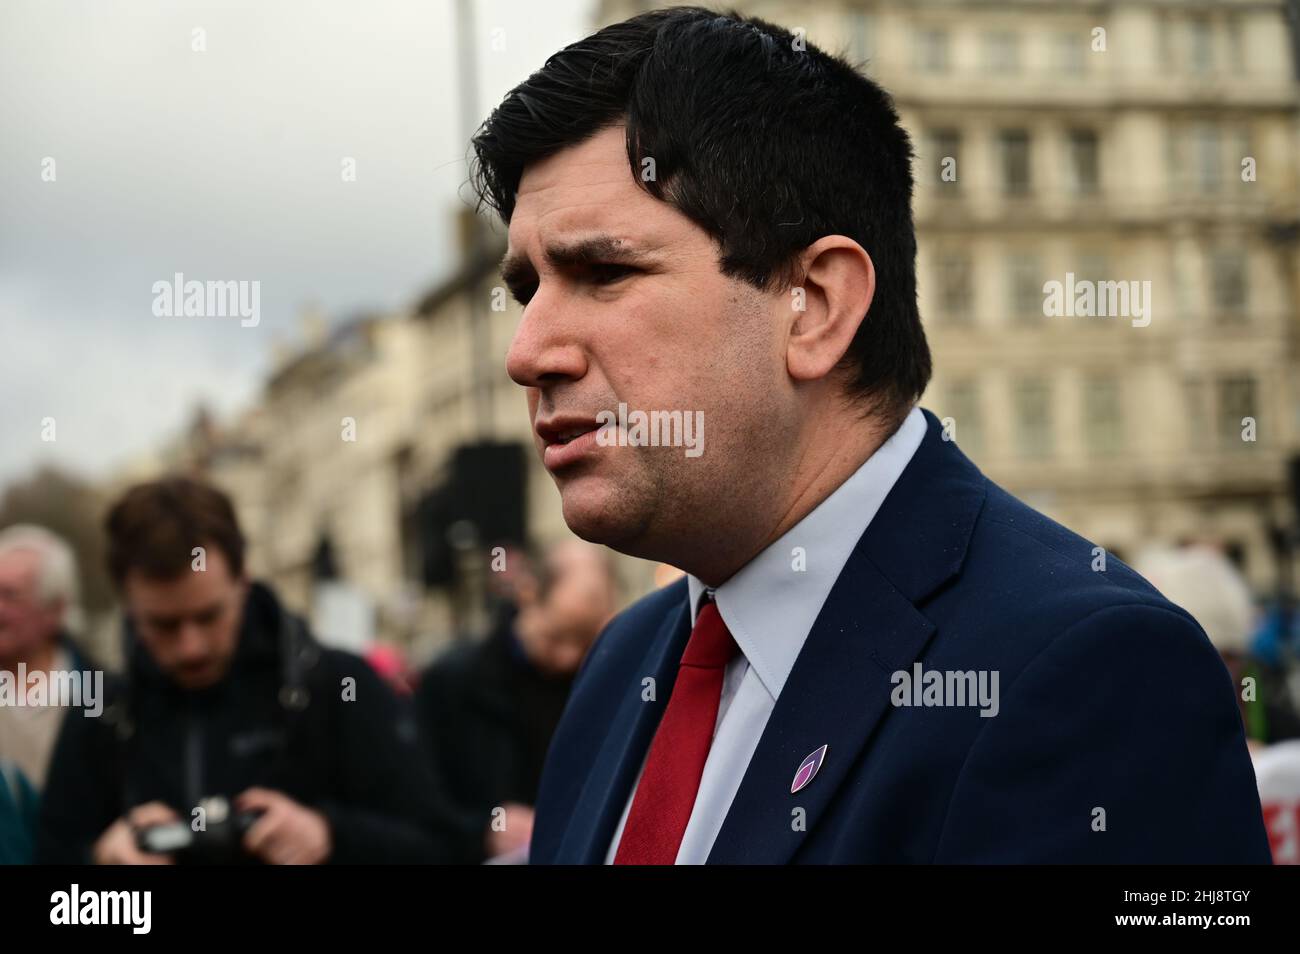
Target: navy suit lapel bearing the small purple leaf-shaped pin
{"points": [[869, 628]]}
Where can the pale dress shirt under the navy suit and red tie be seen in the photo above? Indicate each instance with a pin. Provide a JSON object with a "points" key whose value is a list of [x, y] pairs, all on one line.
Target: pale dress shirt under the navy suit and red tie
{"points": [[770, 606]]}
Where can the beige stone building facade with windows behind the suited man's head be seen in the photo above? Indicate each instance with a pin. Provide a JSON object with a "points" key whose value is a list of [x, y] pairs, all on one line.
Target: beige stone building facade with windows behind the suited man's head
{"points": [[1169, 71]]}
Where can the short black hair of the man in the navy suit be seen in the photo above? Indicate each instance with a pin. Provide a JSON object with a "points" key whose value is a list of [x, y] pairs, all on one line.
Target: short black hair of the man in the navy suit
{"points": [[765, 142]]}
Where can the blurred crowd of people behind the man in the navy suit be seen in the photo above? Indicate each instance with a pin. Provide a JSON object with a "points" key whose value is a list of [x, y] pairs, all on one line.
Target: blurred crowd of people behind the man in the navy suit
{"points": [[233, 736]]}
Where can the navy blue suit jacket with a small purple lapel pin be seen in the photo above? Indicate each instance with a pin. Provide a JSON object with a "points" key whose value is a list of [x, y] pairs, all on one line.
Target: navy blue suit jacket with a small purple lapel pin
{"points": [[1111, 699]]}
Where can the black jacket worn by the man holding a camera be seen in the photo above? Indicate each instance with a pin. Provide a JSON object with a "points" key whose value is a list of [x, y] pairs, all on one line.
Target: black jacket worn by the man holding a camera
{"points": [[284, 718]]}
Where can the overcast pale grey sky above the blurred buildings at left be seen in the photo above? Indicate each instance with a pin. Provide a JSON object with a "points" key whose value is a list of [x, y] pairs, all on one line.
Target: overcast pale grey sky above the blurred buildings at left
{"points": [[223, 166]]}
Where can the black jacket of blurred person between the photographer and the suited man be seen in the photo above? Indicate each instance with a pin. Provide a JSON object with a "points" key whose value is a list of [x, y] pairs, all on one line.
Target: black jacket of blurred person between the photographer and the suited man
{"points": [[488, 717]]}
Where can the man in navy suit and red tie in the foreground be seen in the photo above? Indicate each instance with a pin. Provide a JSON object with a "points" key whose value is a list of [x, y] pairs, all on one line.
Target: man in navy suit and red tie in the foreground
{"points": [[877, 656]]}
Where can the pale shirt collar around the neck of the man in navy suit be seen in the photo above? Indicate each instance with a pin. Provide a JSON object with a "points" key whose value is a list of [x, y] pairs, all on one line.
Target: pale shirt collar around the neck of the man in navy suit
{"points": [[772, 604]]}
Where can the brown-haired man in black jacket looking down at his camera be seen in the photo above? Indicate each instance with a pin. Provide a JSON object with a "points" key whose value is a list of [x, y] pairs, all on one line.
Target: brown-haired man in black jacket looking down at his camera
{"points": [[233, 735]]}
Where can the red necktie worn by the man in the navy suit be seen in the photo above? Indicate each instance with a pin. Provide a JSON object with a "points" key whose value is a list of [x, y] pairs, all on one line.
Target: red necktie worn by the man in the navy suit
{"points": [[670, 782]]}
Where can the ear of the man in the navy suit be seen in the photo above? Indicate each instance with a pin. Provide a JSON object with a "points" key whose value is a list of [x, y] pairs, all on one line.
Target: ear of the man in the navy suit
{"points": [[827, 309]]}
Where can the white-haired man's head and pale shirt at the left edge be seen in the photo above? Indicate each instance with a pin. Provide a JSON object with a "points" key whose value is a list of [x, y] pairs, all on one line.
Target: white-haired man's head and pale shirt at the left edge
{"points": [[38, 600]]}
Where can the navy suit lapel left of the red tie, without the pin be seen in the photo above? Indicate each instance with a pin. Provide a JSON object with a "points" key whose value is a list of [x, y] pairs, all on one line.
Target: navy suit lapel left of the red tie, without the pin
{"points": [[626, 744]]}
